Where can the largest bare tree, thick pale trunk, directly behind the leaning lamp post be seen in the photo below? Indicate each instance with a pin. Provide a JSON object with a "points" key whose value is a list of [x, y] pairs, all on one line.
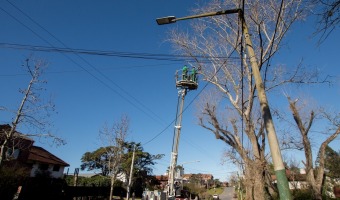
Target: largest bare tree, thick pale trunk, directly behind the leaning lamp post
{"points": [[230, 110]]}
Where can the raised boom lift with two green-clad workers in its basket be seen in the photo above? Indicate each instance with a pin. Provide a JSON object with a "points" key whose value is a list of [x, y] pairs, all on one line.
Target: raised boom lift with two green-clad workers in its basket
{"points": [[187, 82]]}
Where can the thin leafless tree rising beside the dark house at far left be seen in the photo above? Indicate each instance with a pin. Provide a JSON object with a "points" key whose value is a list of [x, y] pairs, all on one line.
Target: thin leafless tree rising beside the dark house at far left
{"points": [[32, 111]]}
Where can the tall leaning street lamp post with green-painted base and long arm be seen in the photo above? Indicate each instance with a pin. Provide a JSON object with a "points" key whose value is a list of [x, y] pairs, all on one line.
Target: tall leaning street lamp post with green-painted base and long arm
{"points": [[279, 168]]}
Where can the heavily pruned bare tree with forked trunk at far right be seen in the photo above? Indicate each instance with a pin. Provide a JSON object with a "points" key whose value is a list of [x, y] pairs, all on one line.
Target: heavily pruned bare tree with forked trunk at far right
{"points": [[314, 173]]}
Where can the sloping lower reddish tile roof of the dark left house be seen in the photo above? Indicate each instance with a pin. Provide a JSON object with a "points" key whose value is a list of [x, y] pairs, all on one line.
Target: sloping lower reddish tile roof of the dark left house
{"points": [[41, 155]]}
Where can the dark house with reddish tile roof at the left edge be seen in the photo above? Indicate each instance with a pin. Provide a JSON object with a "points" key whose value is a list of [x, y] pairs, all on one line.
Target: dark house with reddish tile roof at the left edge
{"points": [[20, 152]]}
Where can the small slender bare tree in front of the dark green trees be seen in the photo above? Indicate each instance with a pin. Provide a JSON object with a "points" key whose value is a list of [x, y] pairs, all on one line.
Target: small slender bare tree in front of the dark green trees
{"points": [[113, 139]]}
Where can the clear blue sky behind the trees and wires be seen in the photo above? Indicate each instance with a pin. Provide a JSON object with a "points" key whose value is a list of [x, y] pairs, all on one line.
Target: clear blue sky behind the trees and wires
{"points": [[90, 90]]}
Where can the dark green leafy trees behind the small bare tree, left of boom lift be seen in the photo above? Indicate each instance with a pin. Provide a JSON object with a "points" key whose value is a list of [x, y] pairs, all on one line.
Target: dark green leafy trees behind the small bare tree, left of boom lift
{"points": [[99, 159]]}
